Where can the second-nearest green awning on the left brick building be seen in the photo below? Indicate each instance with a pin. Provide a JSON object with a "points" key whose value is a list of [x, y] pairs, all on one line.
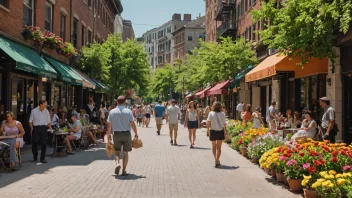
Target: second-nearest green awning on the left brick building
{"points": [[67, 73]]}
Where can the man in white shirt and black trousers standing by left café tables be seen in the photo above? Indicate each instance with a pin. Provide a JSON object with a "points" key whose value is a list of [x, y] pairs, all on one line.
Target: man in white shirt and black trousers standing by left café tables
{"points": [[40, 122]]}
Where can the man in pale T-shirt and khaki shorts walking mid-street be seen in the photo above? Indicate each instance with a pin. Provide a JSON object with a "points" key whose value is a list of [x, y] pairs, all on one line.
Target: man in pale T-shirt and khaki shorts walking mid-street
{"points": [[173, 117]]}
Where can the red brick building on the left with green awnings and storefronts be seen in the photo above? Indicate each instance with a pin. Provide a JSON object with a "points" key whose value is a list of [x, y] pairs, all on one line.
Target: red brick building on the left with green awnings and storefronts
{"points": [[30, 72]]}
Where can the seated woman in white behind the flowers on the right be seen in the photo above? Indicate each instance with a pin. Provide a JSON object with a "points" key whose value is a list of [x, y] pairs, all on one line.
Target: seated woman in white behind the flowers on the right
{"points": [[308, 127]]}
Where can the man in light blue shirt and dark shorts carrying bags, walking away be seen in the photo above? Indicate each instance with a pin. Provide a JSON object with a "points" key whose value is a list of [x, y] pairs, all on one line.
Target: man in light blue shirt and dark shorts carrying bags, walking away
{"points": [[120, 122]]}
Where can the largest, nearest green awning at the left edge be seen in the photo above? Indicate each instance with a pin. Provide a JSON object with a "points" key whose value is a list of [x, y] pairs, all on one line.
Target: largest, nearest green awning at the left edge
{"points": [[26, 58]]}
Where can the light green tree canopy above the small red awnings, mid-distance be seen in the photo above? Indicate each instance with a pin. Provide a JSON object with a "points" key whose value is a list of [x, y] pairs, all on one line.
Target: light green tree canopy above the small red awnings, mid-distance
{"points": [[210, 63]]}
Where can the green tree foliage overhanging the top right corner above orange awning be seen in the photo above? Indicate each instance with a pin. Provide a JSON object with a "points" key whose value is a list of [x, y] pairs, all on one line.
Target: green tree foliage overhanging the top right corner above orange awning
{"points": [[304, 28]]}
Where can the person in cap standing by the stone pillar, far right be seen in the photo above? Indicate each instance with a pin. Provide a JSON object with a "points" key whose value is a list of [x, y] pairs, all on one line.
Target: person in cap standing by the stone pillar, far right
{"points": [[328, 120]]}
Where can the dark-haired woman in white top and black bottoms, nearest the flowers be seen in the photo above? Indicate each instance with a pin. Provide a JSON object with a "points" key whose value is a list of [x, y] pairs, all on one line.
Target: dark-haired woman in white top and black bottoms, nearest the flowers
{"points": [[216, 128]]}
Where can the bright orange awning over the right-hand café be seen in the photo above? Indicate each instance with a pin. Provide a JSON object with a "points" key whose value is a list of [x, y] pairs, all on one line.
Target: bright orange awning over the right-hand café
{"points": [[275, 63]]}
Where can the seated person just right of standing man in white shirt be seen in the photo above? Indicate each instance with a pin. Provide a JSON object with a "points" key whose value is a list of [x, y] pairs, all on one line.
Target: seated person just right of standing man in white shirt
{"points": [[76, 131]]}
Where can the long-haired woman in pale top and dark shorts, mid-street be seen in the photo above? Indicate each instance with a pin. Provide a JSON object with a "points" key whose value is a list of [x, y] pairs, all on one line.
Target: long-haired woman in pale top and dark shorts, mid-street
{"points": [[192, 122]]}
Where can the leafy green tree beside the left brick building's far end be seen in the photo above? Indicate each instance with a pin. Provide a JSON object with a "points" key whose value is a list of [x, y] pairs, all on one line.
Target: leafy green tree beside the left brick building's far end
{"points": [[121, 65]]}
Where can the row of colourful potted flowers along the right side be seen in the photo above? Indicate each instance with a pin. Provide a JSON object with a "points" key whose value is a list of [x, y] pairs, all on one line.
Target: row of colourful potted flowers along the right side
{"points": [[321, 168]]}
